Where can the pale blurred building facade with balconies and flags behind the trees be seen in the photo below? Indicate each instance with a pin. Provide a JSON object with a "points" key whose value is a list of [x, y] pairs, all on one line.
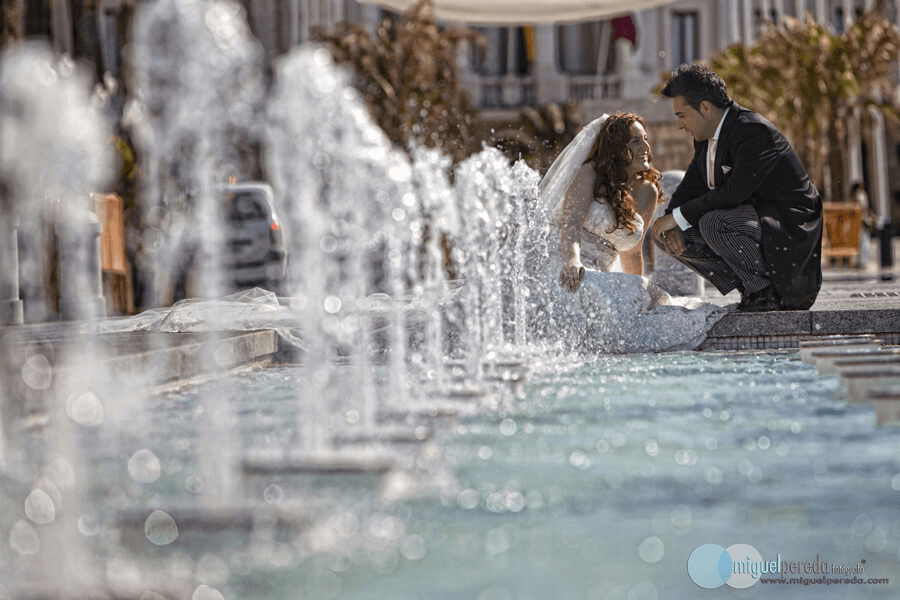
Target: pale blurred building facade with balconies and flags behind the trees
{"points": [[604, 65]]}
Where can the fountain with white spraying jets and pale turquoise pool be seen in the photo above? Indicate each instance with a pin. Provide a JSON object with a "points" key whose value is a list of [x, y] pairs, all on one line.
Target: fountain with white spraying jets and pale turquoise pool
{"points": [[516, 469]]}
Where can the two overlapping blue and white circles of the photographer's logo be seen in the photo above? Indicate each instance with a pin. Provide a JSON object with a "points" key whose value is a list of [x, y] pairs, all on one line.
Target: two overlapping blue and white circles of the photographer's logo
{"points": [[711, 566]]}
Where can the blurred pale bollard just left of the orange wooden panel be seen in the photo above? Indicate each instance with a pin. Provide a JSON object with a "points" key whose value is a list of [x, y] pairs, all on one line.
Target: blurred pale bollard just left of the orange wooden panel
{"points": [[80, 277]]}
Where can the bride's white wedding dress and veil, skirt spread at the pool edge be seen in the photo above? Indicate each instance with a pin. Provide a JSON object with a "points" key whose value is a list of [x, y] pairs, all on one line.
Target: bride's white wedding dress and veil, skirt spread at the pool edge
{"points": [[612, 311]]}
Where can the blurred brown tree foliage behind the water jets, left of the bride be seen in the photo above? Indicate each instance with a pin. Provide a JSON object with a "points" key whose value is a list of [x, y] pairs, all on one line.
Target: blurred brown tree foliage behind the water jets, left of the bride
{"points": [[408, 75]]}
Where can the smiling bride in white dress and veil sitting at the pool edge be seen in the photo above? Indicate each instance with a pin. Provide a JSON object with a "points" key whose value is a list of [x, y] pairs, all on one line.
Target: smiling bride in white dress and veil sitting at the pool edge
{"points": [[600, 195]]}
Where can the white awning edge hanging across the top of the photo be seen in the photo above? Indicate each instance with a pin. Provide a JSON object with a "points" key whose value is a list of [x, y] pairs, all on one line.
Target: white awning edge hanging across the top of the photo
{"points": [[524, 12]]}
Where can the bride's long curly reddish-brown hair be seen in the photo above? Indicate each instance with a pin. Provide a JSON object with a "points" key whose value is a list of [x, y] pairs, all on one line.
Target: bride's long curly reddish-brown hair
{"points": [[611, 157]]}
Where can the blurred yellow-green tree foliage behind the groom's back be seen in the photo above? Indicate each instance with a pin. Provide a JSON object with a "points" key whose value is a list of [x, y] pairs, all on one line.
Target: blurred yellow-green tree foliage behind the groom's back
{"points": [[809, 81]]}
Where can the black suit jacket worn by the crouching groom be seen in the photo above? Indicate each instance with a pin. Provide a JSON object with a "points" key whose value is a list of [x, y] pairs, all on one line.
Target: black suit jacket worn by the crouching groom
{"points": [[756, 165]]}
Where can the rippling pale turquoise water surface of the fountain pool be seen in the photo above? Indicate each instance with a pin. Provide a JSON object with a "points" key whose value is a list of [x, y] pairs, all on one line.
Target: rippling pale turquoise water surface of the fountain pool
{"points": [[598, 483]]}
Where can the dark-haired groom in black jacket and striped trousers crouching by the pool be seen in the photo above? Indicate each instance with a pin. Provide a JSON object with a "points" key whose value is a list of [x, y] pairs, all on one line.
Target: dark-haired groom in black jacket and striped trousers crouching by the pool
{"points": [[746, 214]]}
